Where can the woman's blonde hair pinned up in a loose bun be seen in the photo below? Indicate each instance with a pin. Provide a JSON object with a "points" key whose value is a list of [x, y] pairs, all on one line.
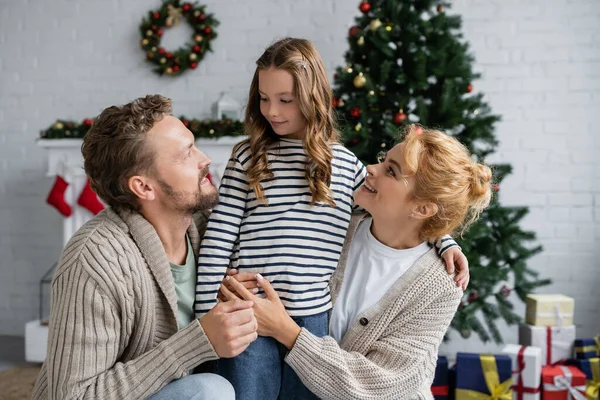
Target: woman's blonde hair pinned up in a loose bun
{"points": [[447, 176]]}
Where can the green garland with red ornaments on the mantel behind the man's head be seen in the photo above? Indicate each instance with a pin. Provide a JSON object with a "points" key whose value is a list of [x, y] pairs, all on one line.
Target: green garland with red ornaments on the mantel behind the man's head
{"points": [[208, 128]]}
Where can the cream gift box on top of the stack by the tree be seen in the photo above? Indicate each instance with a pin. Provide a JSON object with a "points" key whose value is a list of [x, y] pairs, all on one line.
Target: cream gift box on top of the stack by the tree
{"points": [[549, 310]]}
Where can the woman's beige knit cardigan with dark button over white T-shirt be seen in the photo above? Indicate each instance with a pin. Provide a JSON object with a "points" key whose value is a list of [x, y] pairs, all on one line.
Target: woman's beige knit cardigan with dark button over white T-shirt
{"points": [[391, 349]]}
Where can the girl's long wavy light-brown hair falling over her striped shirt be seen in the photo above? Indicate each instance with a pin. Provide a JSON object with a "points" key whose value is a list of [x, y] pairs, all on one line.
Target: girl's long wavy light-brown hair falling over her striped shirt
{"points": [[313, 93]]}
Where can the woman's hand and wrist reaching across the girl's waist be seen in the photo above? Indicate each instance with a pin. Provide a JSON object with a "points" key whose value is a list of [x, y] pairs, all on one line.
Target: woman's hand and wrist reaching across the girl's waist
{"points": [[269, 312]]}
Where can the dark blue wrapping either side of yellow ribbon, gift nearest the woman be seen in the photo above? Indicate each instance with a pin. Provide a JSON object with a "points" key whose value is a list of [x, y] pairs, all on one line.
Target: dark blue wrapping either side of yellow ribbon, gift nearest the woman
{"points": [[469, 373]]}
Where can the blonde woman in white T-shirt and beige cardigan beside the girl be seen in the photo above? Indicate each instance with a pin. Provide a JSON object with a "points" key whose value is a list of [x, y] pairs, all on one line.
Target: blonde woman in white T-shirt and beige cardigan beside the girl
{"points": [[392, 298]]}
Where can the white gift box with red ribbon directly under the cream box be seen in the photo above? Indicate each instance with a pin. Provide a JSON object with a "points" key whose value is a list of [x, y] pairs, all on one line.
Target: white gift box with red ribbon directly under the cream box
{"points": [[556, 342]]}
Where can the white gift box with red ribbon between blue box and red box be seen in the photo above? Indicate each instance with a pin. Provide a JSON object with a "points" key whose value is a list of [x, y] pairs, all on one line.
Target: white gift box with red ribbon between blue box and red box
{"points": [[527, 371]]}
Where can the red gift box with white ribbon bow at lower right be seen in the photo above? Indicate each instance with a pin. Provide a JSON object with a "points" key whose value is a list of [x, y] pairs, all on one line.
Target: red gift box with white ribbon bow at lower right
{"points": [[563, 383]]}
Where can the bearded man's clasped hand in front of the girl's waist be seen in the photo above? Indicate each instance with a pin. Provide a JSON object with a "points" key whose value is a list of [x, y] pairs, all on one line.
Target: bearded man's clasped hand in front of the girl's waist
{"points": [[230, 327]]}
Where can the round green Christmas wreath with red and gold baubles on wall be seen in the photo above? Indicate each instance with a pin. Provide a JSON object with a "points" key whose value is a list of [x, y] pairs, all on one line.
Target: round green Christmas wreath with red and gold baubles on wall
{"points": [[170, 14]]}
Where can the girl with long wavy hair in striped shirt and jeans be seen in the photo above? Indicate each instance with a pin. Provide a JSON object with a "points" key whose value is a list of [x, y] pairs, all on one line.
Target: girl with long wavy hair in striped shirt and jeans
{"points": [[286, 202]]}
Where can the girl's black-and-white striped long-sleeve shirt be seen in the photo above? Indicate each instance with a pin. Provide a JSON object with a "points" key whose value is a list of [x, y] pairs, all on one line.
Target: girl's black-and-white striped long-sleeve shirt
{"points": [[294, 244]]}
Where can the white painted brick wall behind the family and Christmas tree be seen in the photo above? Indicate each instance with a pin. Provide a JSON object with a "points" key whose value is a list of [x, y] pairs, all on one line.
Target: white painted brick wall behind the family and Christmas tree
{"points": [[540, 62]]}
